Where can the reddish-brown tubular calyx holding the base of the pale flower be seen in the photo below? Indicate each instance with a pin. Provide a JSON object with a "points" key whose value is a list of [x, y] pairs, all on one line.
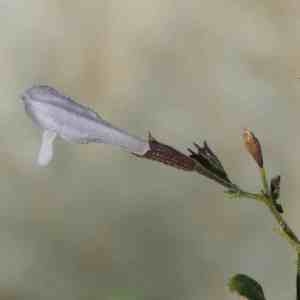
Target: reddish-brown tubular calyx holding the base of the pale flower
{"points": [[168, 155]]}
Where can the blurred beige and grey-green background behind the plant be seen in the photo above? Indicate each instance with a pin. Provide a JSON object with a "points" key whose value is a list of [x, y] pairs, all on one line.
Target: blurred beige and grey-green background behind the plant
{"points": [[101, 224]]}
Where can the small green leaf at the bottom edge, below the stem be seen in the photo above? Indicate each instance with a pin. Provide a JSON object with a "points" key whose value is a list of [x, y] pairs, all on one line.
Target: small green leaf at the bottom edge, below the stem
{"points": [[247, 287]]}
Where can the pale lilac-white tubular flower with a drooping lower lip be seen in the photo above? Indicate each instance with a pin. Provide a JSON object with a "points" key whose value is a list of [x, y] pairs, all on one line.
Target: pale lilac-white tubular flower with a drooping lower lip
{"points": [[58, 115]]}
